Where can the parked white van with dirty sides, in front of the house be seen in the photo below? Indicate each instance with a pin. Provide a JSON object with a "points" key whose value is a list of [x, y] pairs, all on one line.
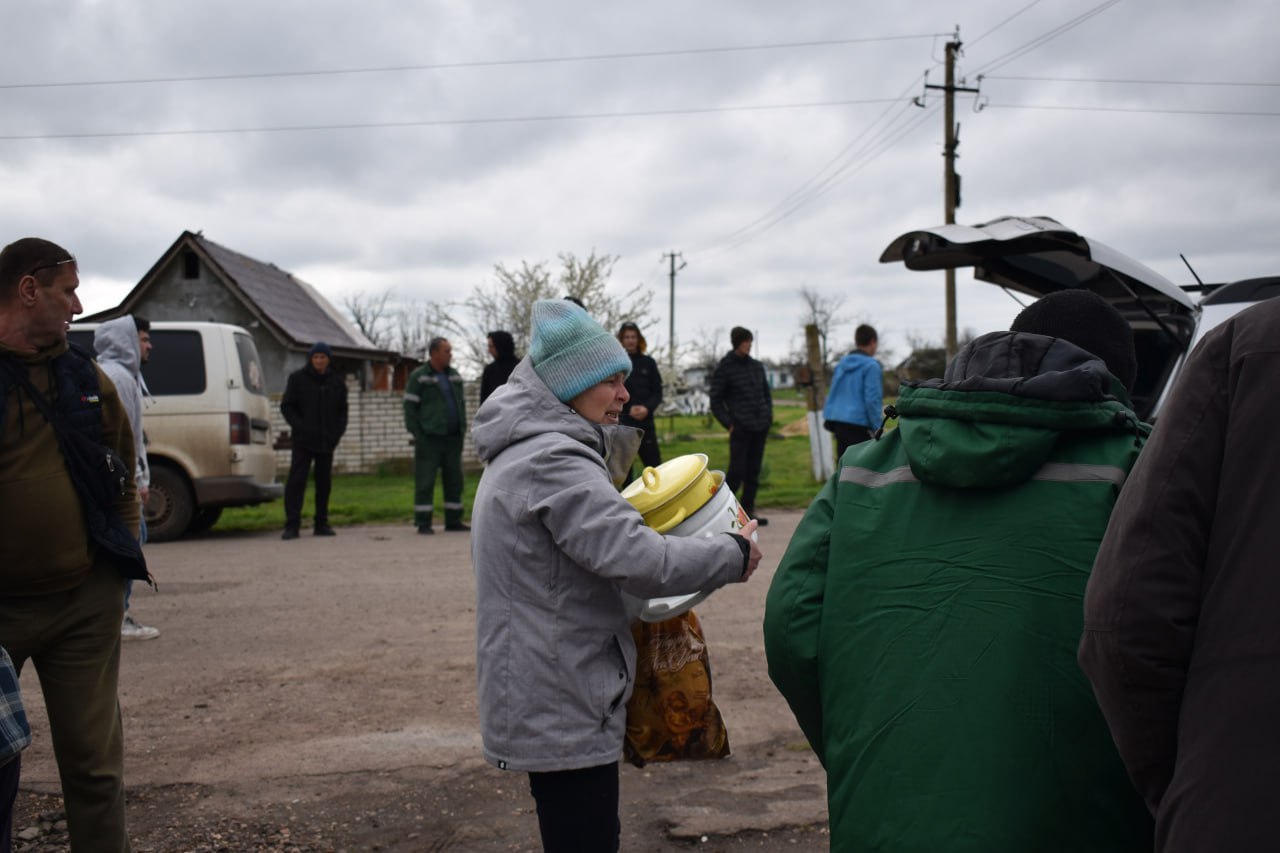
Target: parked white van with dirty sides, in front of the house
{"points": [[208, 425]]}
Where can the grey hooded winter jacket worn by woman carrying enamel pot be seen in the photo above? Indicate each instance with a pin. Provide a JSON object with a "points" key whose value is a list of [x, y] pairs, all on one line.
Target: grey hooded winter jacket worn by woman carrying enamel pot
{"points": [[554, 546]]}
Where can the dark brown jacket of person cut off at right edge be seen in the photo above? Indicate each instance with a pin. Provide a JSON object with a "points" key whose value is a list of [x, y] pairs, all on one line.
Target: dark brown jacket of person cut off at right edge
{"points": [[1182, 617]]}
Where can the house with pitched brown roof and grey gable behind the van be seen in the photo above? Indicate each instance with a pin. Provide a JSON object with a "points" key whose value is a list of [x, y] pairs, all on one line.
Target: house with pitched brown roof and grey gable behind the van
{"points": [[199, 280]]}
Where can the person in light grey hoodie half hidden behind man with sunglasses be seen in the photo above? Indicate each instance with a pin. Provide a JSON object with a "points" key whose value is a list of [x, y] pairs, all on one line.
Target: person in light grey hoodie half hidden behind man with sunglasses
{"points": [[124, 345]]}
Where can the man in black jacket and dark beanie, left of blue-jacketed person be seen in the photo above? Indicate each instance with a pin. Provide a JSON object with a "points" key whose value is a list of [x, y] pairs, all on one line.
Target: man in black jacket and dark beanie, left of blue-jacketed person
{"points": [[742, 402]]}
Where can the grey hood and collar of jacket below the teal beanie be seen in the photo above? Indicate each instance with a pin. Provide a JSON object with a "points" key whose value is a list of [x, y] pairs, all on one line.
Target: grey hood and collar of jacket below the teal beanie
{"points": [[525, 407]]}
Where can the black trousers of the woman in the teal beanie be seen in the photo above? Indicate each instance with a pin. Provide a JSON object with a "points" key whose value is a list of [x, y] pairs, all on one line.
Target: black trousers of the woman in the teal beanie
{"points": [[578, 810]]}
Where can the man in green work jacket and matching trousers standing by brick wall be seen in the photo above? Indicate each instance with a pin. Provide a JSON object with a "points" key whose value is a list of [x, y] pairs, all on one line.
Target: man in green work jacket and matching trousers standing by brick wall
{"points": [[436, 414]]}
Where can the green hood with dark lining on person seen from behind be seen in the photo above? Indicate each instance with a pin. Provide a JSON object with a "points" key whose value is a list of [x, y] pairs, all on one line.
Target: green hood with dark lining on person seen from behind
{"points": [[1004, 404]]}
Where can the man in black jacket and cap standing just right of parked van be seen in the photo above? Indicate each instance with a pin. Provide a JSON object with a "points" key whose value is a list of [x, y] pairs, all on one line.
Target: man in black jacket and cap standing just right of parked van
{"points": [[316, 407]]}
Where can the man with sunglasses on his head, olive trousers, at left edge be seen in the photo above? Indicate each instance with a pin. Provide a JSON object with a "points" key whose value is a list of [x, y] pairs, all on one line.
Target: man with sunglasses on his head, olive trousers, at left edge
{"points": [[71, 532]]}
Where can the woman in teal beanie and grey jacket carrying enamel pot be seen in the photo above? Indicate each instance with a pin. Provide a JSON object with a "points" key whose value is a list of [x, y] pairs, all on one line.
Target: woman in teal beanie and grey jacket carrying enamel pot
{"points": [[555, 546]]}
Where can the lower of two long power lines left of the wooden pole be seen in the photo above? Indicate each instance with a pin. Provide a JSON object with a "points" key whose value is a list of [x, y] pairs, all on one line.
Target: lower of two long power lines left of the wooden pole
{"points": [[501, 120]]}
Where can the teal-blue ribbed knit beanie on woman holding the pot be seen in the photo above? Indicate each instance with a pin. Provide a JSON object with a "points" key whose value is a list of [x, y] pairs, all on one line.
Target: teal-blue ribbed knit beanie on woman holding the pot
{"points": [[570, 352]]}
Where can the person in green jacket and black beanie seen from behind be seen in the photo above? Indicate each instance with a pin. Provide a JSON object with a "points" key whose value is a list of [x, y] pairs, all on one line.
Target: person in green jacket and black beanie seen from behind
{"points": [[925, 619]]}
